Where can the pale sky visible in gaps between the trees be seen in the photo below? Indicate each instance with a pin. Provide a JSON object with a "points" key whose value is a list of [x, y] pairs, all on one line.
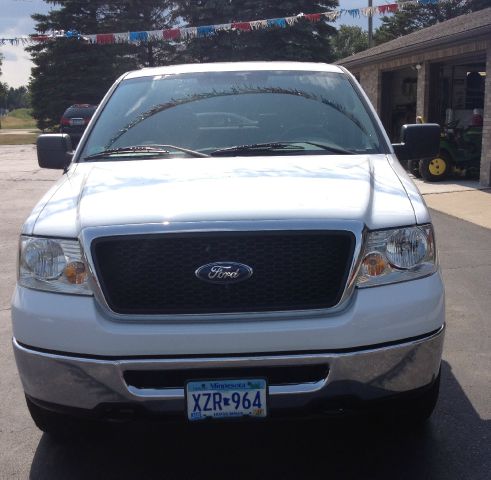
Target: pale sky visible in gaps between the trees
{"points": [[15, 20]]}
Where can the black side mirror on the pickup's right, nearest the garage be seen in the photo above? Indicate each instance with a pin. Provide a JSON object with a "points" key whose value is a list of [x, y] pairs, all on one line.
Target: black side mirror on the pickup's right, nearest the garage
{"points": [[418, 142]]}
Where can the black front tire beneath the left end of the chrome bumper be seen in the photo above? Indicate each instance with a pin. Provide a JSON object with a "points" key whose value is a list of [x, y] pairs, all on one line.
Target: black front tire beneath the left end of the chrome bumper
{"points": [[59, 425]]}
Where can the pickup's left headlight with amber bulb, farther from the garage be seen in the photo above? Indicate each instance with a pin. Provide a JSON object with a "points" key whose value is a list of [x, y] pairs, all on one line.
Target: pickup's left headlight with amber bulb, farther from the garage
{"points": [[53, 265]]}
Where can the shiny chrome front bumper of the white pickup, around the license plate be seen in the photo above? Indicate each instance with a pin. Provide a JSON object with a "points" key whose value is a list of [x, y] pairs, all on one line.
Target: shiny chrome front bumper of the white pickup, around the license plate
{"points": [[366, 374]]}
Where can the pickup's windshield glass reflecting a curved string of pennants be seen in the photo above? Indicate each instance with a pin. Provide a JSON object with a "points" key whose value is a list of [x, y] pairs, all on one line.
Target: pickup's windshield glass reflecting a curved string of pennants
{"points": [[213, 112]]}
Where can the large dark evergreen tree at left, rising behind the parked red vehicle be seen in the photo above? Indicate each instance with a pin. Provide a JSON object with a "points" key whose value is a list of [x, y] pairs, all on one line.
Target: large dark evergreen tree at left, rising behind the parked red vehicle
{"points": [[69, 71]]}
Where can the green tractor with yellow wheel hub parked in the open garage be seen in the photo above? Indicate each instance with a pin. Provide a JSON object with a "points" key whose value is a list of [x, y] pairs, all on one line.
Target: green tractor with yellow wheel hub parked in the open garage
{"points": [[460, 153]]}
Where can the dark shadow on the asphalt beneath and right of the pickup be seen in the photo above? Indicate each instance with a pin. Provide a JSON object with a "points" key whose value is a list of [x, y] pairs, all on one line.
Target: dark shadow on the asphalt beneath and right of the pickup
{"points": [[453, 445]]}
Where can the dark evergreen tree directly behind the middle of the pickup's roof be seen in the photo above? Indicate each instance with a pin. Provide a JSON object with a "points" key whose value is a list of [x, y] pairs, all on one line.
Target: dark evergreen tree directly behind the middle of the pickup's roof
{"points": [[305, 40]]}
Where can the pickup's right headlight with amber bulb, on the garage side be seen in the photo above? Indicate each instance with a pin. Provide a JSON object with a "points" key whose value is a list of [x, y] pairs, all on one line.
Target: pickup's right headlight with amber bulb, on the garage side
{"points": [[397, 255]]}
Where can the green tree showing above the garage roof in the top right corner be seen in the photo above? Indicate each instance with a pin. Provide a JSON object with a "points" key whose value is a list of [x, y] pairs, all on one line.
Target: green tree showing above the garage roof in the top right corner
{"points": [[414, 17]]}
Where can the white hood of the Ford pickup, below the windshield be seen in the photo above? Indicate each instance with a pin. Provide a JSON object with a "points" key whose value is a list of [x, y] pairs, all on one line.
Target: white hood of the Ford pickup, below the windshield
{"points": [[363, 188]]}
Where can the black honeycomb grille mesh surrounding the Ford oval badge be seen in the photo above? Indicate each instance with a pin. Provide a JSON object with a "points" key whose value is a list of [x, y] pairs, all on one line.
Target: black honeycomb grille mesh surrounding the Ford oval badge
{"points": [[155, 274]]}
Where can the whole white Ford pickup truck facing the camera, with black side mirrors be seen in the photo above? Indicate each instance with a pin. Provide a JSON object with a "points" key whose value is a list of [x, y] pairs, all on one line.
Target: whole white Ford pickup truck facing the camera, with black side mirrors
{"points": [[230, 240]]}
